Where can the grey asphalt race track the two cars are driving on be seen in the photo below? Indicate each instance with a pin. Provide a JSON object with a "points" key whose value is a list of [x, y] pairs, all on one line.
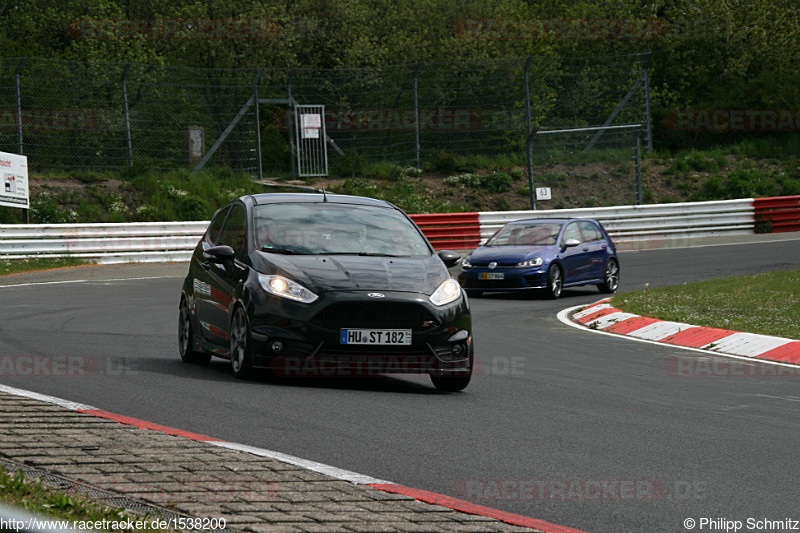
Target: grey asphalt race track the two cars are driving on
{"points": [[559, 424]]}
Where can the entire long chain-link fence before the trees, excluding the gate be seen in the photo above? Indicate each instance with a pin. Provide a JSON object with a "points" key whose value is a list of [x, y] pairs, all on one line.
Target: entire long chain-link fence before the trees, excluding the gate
{"points": [[79, 115]]}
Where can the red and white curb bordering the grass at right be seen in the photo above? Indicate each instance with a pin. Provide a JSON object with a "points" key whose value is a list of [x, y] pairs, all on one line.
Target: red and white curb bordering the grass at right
{"points": [[601, 316]]}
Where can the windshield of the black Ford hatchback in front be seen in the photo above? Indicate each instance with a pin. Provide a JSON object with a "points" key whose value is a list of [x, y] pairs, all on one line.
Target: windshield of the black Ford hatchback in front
{"points": [[331, 228]]}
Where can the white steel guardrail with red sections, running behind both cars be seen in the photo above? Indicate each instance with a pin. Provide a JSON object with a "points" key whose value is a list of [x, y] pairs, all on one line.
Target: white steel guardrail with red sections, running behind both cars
{"points": [[631, 227]]}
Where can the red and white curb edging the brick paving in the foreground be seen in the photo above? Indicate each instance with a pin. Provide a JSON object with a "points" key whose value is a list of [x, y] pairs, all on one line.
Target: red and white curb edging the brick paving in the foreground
{"points": [[338, 473]]}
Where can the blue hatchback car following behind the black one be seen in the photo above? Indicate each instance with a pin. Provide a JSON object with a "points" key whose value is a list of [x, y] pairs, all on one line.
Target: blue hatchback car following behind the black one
{"points": [[549, 254]]}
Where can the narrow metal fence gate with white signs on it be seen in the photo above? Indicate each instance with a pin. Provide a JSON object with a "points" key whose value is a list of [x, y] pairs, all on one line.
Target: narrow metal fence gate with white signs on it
{"points": [[312, 155]]}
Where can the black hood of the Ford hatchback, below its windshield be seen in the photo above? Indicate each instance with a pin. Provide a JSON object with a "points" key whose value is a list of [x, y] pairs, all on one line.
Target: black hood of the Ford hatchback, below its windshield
{"points": [[321, 273]]}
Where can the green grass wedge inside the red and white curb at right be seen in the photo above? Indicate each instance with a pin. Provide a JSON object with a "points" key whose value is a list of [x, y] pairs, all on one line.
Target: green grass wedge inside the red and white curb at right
{"points": [[768, 304]]}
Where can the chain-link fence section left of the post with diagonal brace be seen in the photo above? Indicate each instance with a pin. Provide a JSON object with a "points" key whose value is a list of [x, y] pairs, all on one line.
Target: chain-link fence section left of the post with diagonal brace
{"points": [[78, 115]]}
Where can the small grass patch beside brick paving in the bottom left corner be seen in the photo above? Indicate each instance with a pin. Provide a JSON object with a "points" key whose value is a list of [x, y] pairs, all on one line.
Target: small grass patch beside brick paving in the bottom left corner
{"points": [[35, 498]]}
